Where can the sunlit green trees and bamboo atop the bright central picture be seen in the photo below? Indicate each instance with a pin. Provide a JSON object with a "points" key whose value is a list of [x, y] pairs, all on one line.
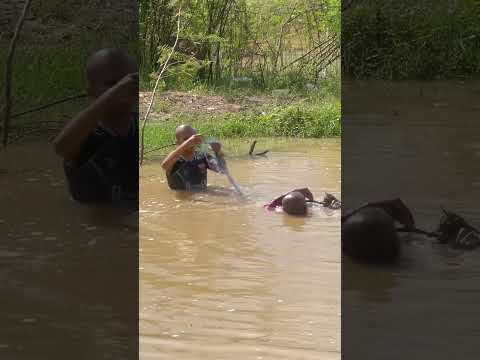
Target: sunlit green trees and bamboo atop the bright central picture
{"points": [[277, 43]]}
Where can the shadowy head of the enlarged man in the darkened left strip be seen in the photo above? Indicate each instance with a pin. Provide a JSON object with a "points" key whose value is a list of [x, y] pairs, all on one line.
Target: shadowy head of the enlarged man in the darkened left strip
{"points": [[107, 67]]}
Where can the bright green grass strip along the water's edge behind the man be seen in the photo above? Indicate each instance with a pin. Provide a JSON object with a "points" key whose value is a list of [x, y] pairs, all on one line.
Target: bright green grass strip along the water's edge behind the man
{"points": [[304, 120]]}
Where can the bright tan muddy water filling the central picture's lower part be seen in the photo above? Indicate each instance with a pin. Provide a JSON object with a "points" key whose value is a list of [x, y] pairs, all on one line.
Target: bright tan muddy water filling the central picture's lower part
{"points": [[220, 278]]}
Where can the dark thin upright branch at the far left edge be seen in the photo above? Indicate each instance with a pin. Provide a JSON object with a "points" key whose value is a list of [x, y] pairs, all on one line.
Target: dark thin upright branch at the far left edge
{"points": [[8, 73]]}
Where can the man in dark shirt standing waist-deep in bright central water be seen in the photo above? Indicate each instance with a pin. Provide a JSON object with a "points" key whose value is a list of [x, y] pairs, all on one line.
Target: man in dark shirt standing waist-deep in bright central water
{"points": [[185, 167]]}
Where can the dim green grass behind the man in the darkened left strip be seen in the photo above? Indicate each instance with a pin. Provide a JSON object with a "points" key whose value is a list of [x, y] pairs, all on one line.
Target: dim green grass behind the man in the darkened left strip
{"points": [[46, 73]]}
